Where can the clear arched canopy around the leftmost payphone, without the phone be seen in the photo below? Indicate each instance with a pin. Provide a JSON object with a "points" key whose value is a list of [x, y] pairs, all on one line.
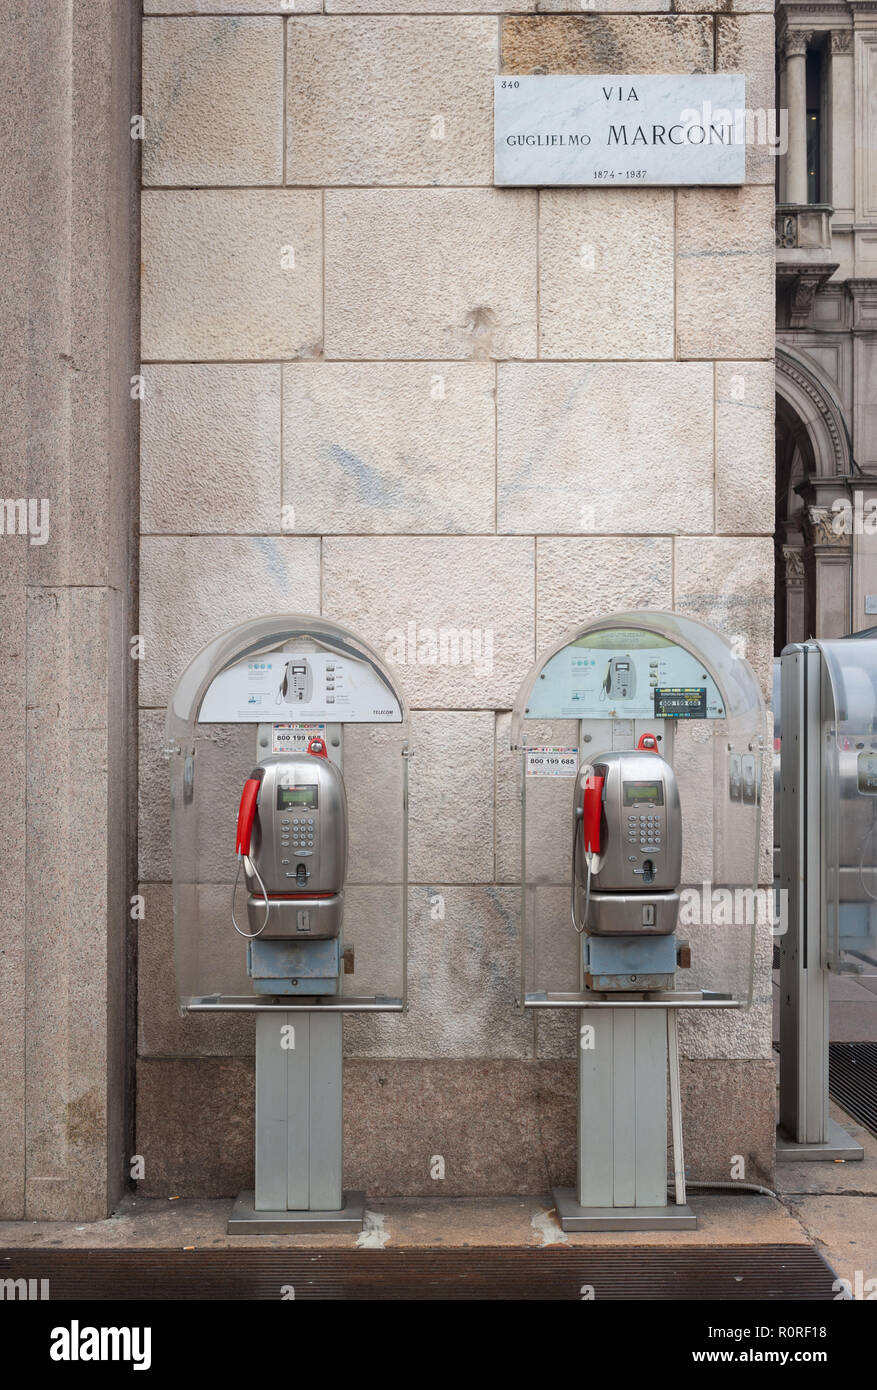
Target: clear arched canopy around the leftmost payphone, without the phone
{"points": [[231, 707]]}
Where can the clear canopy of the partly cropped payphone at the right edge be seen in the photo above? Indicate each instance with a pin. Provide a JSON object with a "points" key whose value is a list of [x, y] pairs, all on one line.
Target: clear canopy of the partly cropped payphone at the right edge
{"points": [[850, 804]]}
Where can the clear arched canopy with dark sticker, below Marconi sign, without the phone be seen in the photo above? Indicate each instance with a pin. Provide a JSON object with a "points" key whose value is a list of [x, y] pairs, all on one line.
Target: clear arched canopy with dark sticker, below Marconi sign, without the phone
{"points": [[698, 694]]}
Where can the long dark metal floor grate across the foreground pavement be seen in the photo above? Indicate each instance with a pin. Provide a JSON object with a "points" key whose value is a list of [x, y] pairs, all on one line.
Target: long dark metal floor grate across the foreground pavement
{"points": [[689, 1273]]}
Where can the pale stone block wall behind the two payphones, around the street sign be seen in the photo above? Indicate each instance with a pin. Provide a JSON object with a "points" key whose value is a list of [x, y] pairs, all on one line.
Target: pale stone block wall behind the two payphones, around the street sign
{"points": [[382, 390]]}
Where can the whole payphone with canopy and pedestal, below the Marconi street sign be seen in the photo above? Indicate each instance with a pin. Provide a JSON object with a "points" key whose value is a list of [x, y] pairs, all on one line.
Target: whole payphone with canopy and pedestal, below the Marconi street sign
{"points": [[646, 733]]}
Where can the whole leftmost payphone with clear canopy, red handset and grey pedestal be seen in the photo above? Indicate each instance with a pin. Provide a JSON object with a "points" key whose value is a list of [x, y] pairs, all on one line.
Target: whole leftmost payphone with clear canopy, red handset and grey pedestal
{"points": [[293, 730]]}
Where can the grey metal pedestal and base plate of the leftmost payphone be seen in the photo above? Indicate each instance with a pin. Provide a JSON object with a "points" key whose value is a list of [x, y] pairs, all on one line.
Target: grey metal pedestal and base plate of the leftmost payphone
{"points": [[298, 1131]]}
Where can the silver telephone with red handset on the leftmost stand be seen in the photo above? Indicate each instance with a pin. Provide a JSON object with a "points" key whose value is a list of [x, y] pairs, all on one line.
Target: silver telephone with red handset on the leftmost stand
{"points": [[293, 846]]}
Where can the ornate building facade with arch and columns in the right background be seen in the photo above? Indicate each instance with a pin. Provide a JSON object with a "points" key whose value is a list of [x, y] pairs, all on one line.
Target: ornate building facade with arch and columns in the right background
{"points": [[826, 322]]}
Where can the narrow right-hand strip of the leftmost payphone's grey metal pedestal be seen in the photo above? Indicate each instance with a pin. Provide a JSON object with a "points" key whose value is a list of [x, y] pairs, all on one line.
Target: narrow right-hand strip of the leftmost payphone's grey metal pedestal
{"points": [[326, 1111]]}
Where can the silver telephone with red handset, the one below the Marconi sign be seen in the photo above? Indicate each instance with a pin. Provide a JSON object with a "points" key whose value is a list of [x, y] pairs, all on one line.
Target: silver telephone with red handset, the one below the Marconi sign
{"points": [[628, 864]]}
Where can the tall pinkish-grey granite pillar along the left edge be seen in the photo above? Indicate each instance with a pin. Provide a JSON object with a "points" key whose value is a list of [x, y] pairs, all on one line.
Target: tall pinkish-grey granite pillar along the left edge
{"points": [[69, 429]]}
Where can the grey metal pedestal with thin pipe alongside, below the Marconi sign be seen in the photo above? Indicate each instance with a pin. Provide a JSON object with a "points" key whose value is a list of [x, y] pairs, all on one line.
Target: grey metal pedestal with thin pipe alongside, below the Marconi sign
{"points": [[622, 1182]]}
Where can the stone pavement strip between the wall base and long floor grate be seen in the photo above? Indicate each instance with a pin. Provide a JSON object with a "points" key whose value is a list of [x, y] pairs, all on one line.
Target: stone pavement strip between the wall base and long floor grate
{"points": [[830, 1206]]}
